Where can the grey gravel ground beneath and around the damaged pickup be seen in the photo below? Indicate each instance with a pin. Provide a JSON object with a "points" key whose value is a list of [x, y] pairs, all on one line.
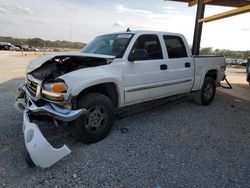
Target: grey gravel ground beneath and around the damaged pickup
{"points": [[169, 143]]}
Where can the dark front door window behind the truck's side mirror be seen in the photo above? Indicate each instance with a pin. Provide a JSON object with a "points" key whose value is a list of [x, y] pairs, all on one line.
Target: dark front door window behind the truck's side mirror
{"points": [[151, 44]]}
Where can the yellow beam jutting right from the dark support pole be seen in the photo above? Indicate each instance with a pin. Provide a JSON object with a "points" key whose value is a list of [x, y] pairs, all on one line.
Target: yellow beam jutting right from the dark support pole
{"points": [[226, 14]]}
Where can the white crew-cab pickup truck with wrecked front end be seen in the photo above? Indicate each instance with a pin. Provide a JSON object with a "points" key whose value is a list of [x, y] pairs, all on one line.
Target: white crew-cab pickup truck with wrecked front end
{"points": [[112, 71]]}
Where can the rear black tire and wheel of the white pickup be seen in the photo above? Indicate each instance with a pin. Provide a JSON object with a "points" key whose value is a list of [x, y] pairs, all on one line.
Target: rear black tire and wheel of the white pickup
{"points": [[206, 95]]}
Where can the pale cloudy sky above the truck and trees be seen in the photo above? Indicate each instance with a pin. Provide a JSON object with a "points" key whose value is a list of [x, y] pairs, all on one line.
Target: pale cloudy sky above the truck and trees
{"points": [[86, 19]]}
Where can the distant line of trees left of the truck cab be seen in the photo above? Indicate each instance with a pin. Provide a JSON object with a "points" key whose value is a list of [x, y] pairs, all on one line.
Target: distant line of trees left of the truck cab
{"points": [[38, 42]]}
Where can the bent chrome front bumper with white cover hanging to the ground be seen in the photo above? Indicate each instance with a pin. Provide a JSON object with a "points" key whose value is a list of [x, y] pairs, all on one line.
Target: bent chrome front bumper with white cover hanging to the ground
{"points": [[41, 152]]}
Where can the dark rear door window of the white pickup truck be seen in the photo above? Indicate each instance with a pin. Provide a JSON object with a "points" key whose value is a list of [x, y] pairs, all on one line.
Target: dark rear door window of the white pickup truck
{"points": [[175, 47]]}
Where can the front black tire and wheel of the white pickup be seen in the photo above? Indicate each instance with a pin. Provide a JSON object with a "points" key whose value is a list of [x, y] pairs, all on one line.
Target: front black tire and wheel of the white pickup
{"points": [[97, 123]]}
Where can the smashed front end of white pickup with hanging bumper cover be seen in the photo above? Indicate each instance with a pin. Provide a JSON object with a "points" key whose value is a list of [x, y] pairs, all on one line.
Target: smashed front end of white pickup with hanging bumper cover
{"points": [[44, 93]]}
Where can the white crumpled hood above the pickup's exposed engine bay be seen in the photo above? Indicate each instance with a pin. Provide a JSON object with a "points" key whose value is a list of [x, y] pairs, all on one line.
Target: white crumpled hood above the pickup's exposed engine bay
{"points": [[38, 62]]}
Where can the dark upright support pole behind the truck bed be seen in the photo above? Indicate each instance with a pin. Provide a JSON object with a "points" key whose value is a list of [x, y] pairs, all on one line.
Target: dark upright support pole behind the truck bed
{"points": [[198, 28]]}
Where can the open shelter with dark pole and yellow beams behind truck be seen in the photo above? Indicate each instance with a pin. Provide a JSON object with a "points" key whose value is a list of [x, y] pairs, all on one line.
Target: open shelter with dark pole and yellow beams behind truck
{"points": [[241, 6]]}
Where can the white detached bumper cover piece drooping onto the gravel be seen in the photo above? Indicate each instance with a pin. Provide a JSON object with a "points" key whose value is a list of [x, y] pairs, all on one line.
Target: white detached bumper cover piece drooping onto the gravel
{"points": [[41, 152]]}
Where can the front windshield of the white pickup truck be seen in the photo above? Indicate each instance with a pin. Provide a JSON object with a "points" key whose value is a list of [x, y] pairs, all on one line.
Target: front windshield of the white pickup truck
{"points": [[113, 44]]}
